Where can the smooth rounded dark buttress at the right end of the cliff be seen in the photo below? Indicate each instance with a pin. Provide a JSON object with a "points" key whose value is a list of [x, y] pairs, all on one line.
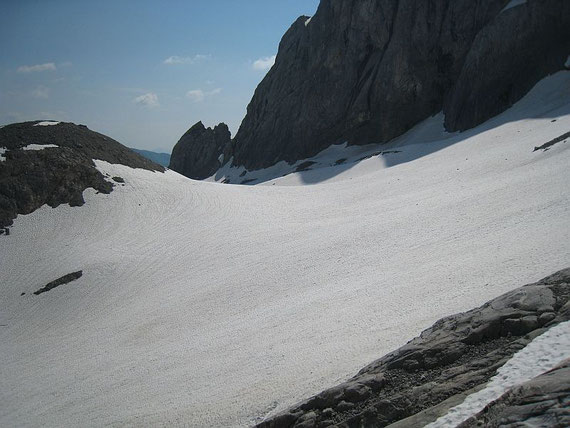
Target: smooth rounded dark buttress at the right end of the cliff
{"points": [[509, 55]]}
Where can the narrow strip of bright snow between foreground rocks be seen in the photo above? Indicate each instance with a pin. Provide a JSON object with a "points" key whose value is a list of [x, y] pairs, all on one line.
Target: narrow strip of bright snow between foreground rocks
{"points": [[541, 355]]}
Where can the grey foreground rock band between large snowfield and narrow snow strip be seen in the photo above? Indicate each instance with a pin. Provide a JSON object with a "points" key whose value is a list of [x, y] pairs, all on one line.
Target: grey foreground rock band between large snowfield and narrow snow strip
{"points": [[419, 382]]}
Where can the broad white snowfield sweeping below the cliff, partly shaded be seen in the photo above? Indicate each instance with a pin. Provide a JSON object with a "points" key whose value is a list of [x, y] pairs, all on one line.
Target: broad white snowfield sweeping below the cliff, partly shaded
{"points": [[204, 304]]}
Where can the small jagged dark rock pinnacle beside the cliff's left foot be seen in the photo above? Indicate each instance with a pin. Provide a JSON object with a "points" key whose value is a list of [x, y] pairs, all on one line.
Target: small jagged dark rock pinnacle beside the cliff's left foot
{"points": [[201, 151]]}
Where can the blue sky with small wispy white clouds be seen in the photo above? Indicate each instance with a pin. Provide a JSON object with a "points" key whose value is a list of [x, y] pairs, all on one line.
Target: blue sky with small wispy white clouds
{"points": [[141, 72]]}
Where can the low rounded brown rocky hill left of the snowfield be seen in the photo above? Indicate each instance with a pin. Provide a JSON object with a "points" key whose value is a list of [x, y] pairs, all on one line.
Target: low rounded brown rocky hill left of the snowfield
{"points": [[55, 175]]}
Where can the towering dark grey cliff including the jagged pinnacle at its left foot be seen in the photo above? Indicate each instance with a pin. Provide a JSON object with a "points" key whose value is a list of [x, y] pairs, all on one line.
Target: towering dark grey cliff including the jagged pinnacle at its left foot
{"points": [[367, 71]]}
